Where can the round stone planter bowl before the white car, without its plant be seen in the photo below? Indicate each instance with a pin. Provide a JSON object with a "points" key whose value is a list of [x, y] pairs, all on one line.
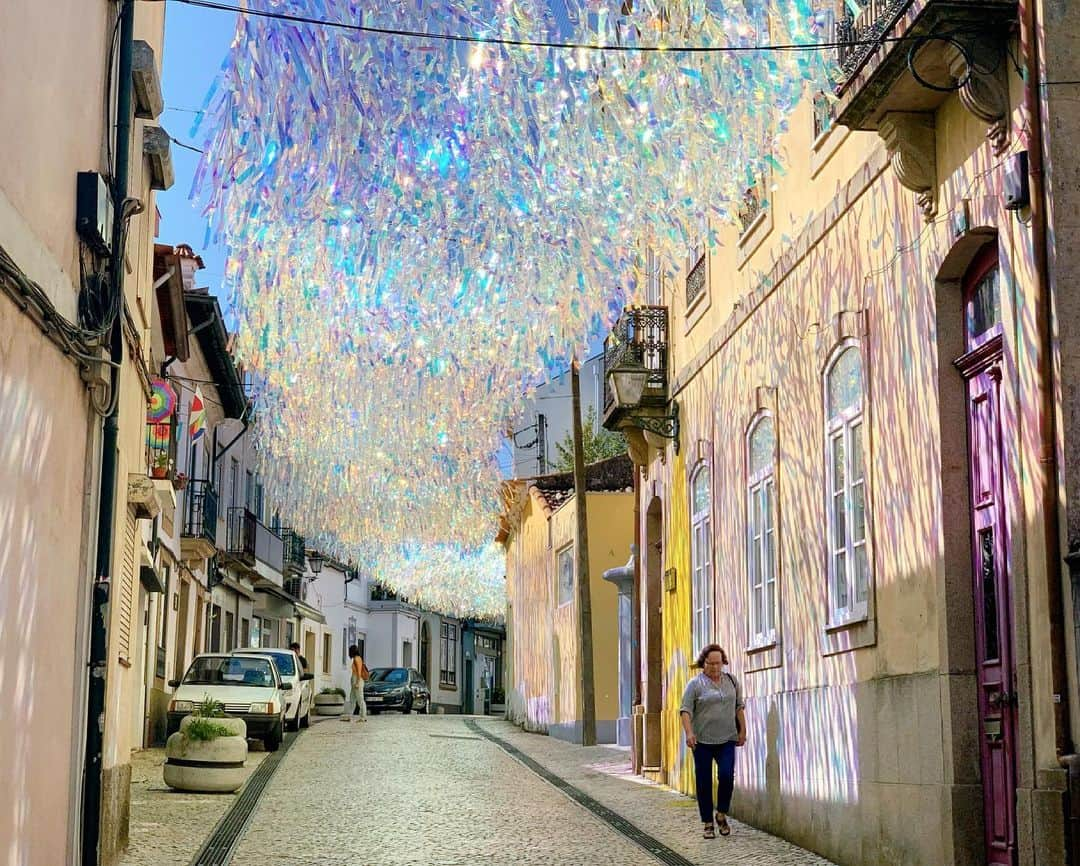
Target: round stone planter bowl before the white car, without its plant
{"points": [[213, 766]]}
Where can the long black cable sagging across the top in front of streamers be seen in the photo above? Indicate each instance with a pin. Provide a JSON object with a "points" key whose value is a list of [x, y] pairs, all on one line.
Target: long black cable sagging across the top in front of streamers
{"points": [[537, 44]]}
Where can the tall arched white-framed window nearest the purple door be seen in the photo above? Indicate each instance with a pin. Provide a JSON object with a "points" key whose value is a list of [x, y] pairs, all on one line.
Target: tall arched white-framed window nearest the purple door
{"points": [[849, 569]]}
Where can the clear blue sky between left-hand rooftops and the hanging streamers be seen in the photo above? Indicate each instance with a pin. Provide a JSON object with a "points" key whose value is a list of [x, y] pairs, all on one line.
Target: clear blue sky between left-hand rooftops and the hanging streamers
{"points": [[197, 42]]}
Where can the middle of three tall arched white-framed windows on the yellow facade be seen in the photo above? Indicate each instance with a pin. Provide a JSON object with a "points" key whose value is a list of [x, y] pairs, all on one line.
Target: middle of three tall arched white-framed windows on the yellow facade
{"points": [[762, 531]]}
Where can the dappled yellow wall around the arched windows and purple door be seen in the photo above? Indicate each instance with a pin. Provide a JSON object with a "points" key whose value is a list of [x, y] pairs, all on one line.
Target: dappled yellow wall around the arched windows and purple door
{"points": [[840, 756]]}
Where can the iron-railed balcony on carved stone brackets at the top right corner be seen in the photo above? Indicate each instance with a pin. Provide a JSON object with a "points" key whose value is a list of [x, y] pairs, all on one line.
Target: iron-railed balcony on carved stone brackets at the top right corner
{"points": [[902, 59]]}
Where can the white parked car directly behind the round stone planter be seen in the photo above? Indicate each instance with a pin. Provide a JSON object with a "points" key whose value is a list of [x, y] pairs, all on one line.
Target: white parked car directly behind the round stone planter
{"points": [[249, 688]]}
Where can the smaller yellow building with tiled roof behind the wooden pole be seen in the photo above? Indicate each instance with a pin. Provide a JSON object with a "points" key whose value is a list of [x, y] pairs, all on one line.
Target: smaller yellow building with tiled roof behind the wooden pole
{"points": [[539, 530]]}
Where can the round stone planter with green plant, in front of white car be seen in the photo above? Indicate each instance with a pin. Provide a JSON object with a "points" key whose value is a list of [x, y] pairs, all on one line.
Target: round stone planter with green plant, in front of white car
{"points": [[208, 754]]}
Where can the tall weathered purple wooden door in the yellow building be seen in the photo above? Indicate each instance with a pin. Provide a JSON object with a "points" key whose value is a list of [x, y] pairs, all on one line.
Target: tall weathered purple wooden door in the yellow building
{"points": [[991, 581]]}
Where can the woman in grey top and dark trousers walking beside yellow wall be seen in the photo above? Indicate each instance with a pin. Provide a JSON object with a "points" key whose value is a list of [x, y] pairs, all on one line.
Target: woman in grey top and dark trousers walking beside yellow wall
{"points": [[713, 720]]}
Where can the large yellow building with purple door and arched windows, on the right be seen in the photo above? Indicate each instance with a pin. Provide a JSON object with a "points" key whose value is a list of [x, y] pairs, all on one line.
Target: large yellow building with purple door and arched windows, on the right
{"points": [[859, 505]]}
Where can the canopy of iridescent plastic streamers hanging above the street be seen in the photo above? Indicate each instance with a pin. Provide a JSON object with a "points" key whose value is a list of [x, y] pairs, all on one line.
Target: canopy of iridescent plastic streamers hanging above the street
{"points": [[418, 232]]}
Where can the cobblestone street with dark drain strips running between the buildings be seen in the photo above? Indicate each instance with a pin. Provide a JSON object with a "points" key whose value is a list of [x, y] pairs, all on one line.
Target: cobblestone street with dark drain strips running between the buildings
{"points": [[437, 791]]}
